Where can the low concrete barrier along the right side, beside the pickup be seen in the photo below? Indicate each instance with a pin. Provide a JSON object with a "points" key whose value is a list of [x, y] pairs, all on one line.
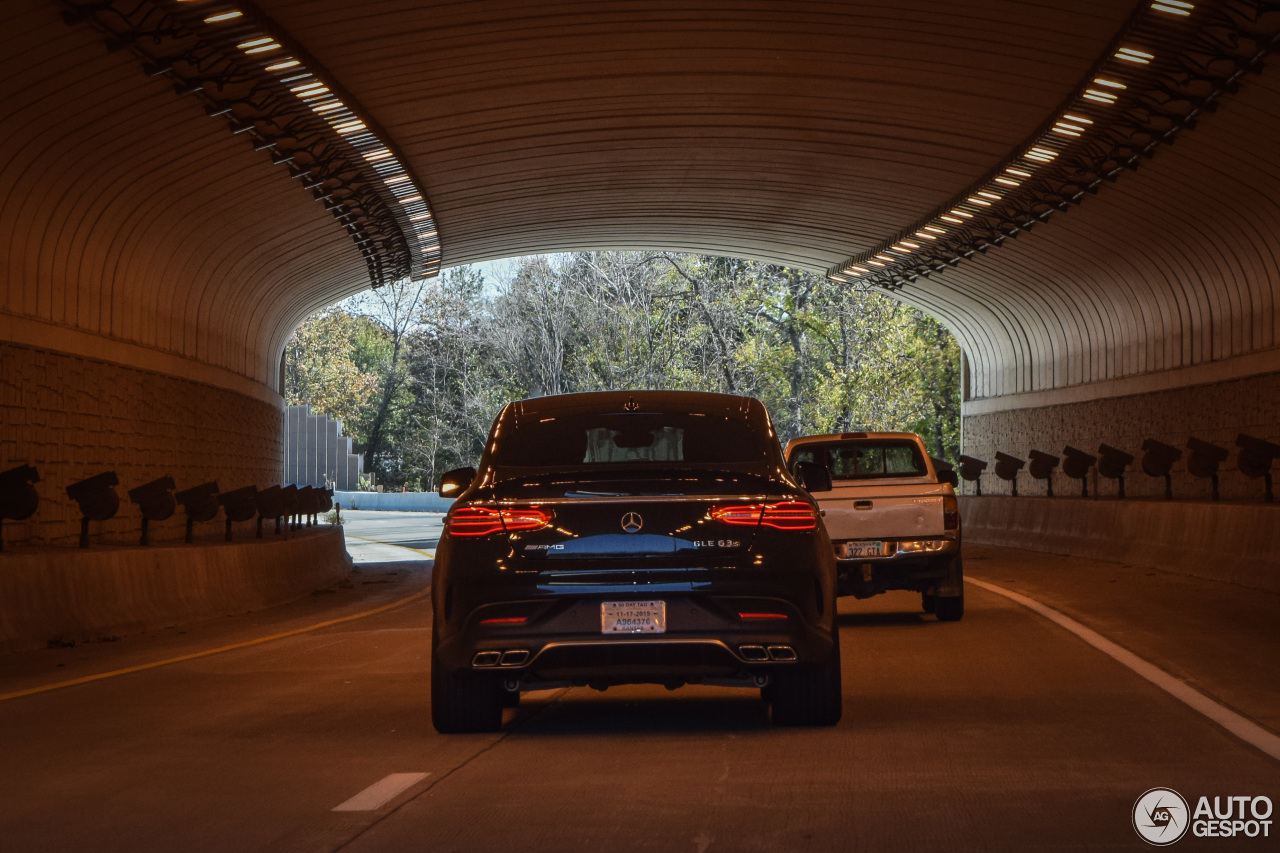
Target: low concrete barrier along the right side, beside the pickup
{"points": [[1233, 542]]}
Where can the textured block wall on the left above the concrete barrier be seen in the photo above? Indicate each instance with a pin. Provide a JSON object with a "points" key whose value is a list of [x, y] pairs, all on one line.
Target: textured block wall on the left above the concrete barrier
{"points": [[74, 417]]}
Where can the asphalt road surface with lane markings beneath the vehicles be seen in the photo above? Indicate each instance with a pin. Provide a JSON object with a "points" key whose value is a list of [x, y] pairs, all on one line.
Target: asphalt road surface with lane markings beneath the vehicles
{"points": [[1000, 733]]}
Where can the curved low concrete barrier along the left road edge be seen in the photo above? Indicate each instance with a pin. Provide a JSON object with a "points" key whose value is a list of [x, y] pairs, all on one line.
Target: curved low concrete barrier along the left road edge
{"points": [[85, 595]]}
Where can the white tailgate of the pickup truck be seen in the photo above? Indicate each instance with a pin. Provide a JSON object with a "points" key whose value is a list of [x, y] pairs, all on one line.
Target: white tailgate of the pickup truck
{"points": [[884, 512]]}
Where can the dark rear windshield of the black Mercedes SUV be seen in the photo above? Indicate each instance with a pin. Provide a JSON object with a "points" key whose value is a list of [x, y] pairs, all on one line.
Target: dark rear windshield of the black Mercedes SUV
{"points": [[587, 439]]}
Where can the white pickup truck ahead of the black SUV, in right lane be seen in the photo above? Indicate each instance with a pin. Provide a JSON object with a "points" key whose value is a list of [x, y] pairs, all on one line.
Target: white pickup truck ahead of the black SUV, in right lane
{"points": [[892, 517]]}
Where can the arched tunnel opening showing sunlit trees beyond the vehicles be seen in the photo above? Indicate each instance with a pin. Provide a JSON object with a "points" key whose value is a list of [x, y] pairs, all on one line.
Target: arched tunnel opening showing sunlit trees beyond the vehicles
{"points": [[418, 371]]}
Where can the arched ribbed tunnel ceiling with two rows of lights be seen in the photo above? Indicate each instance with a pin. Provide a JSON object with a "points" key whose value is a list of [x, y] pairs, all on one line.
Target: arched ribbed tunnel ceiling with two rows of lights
{"points": [[154, 195]]}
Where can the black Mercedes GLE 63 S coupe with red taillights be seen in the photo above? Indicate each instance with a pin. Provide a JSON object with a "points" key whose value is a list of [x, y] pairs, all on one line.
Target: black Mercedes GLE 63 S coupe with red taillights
{"points": [[633, 539]]}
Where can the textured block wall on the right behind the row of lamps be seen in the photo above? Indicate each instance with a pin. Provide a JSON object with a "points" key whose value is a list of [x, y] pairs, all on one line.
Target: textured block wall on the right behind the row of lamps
{"points": [[1215, 413]]}
